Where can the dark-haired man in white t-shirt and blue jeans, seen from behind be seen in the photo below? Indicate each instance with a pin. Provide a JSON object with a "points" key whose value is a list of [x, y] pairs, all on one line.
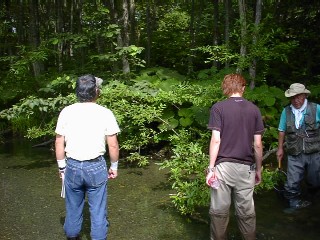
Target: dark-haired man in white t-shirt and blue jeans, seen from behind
{"points": [[83, 129]]}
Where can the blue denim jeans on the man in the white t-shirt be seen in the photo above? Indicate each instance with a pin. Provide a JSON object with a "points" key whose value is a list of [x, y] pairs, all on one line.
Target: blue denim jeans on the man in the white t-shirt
{"points": [[81, 178]]}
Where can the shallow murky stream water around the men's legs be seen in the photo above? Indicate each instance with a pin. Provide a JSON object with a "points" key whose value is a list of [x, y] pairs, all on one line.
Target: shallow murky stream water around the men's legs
{"points": [[139, 206]]}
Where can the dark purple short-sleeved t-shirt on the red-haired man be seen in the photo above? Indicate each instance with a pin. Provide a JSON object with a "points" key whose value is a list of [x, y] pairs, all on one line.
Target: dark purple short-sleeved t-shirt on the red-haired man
{"points": [[237, 120]]}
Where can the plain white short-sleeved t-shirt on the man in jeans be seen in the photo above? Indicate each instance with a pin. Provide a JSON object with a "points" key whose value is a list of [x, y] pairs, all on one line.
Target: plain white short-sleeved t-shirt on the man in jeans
{"points": [[85, 127]]}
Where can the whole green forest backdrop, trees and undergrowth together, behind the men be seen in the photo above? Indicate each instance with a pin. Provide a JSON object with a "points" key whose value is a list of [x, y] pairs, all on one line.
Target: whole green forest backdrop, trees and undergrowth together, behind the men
{"points": [[157, 60]]}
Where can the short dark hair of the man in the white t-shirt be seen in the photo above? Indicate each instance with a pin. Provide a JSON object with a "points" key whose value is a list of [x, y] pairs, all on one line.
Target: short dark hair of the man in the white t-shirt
{"points": [[86, 88]]}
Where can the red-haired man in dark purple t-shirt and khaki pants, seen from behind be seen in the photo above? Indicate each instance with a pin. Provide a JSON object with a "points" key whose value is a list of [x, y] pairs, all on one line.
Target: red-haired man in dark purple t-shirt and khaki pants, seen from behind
{"points": [[235, 159]]}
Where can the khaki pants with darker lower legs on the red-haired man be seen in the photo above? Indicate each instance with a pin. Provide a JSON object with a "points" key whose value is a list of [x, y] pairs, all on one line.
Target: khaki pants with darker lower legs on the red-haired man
{"points": [[237, 180]]}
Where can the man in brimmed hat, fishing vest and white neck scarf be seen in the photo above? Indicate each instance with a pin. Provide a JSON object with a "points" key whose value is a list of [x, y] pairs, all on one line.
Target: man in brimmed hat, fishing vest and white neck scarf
{"points": [[299, 128]]}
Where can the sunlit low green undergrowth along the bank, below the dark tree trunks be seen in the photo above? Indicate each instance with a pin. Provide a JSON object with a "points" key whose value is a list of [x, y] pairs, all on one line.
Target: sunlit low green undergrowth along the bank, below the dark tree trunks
{"points": [[157, 108]]}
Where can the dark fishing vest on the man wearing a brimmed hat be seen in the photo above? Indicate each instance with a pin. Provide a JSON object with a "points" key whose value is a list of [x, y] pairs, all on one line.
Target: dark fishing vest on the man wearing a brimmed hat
{"points": [[306, 139]]}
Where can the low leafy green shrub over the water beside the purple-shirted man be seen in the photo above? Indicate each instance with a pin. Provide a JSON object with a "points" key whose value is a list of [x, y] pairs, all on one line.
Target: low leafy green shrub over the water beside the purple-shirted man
{"points": [[187, 165]]}
